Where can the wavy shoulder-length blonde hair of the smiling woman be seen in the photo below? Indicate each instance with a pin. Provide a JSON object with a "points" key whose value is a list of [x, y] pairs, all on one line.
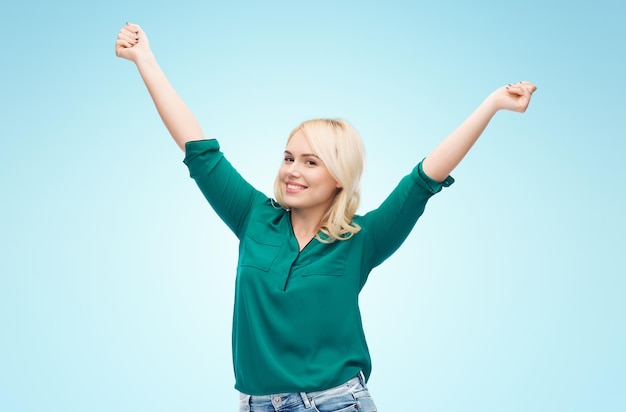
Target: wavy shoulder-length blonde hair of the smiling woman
{"points": [[341, 149]]}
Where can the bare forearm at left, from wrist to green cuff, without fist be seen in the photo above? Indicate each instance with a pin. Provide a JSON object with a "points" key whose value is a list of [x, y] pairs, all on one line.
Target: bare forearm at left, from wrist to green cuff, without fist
{"points": [[176, 115]]}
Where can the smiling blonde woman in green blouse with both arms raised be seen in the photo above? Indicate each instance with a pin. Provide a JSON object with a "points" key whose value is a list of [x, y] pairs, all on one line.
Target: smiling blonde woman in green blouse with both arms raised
{"points": [[298, 341]]}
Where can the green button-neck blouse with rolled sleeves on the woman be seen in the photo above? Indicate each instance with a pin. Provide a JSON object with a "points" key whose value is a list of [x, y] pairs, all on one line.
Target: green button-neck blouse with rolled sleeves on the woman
{"points": [[296, 323]]}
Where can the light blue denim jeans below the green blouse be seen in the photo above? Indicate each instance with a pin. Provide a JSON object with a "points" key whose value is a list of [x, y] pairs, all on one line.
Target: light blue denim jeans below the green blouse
{"points": [[351, 396]]}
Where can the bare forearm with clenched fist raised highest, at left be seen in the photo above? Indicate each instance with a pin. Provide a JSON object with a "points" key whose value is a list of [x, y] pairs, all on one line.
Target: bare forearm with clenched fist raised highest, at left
{"points": [[132, 44]]}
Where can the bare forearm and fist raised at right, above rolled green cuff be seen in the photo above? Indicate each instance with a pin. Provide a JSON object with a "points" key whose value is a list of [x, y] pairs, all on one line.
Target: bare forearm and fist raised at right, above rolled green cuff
{"points": [[449, 153]]}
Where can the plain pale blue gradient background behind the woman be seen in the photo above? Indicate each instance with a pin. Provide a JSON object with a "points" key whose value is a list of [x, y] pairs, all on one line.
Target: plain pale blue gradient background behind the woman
{"points": [[116, 278]]}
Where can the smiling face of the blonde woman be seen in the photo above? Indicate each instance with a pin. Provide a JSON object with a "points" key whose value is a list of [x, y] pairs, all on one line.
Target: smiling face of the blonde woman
{"points": [[305, 182]]}
